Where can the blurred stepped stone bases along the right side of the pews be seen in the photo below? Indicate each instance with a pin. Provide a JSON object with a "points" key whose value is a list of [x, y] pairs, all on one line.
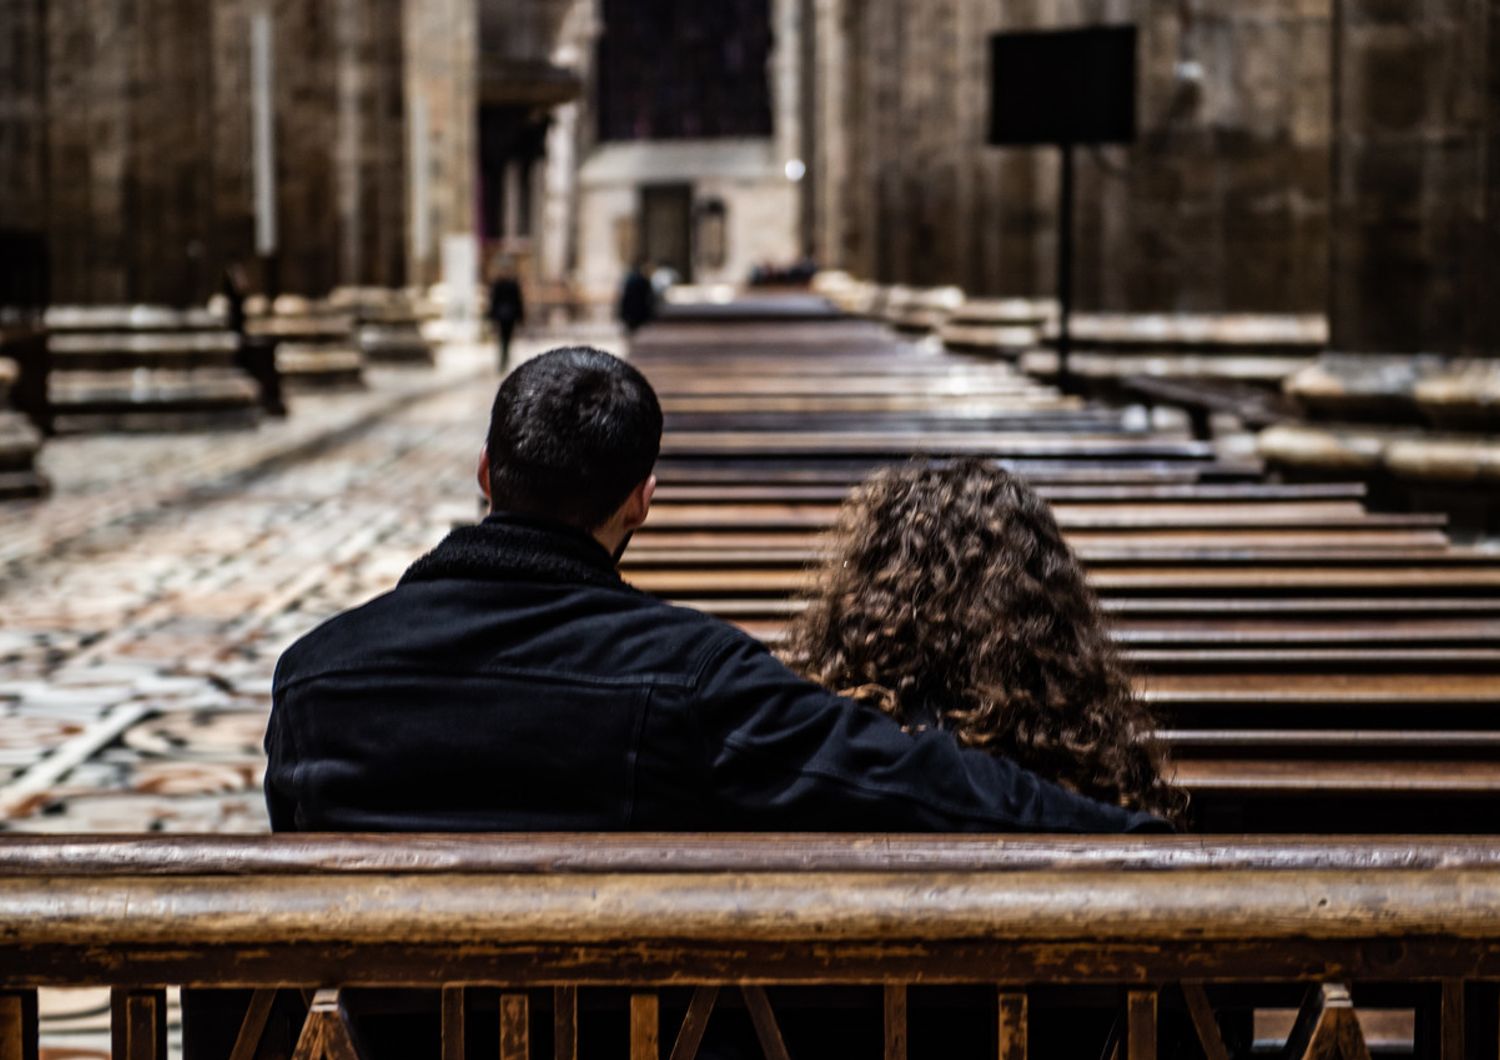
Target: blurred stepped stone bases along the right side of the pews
{"points": [[1420, 430]]}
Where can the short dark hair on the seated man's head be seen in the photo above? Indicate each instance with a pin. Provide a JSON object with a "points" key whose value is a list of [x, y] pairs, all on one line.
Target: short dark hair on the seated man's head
{"points": [[572, 433]]}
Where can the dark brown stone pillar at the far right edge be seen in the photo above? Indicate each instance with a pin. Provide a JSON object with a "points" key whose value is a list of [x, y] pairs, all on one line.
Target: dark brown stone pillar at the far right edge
{"points": [[1417, 178]]}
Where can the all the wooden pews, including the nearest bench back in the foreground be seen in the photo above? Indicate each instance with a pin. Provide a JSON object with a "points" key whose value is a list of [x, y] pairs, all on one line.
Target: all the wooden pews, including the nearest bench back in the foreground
{"points": [[1319, 666]]}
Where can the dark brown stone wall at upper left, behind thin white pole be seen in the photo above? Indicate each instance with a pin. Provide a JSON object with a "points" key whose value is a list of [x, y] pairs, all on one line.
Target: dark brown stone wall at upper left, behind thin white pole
{"points": [[127, 140]]}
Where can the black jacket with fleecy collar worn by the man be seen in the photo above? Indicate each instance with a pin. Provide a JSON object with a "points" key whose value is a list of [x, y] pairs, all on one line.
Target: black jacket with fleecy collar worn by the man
{"points": [[514, 683]]}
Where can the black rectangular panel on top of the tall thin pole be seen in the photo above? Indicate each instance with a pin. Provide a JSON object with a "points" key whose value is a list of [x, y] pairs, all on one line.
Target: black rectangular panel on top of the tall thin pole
{"points": [[1064, 88]]}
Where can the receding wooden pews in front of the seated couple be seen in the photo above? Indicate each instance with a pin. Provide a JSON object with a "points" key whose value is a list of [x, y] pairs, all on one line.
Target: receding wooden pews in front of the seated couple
{"points": [[1318, 666]]}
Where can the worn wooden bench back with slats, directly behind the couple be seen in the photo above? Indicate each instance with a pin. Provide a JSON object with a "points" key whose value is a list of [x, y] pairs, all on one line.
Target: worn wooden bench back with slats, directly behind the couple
{"points": [[1196, 930]]}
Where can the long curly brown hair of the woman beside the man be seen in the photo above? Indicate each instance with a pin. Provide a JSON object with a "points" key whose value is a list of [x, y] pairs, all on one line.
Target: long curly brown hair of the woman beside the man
{"points": [[952, 599]]}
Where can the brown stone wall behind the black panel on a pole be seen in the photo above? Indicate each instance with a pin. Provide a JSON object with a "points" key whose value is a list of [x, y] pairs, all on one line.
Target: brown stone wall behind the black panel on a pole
{"points": [[1220, 206]]}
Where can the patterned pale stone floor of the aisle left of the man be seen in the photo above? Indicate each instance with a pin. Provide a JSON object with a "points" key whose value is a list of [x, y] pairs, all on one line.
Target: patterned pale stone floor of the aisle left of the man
{"points": [[145, 606]]}
